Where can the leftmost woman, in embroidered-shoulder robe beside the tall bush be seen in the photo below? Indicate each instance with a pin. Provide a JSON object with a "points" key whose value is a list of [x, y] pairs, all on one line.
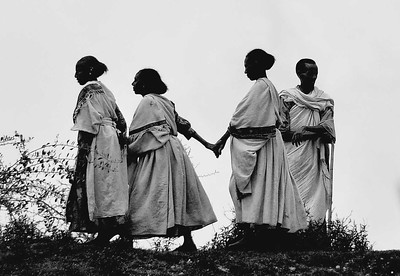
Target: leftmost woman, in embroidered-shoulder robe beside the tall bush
{"points": [[98, 198]]}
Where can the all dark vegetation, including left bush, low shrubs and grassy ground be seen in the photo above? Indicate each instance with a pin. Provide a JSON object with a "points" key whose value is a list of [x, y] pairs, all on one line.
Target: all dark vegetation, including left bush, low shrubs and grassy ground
{"points": [[35, 241]]}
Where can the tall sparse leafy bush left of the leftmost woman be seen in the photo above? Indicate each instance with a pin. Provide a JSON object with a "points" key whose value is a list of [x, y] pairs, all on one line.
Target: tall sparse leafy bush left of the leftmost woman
{"points": [[36, 184]]}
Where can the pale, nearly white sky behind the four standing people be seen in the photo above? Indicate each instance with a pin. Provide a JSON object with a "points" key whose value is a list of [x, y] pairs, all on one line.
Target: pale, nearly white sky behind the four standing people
{"points": [[198, 47]]}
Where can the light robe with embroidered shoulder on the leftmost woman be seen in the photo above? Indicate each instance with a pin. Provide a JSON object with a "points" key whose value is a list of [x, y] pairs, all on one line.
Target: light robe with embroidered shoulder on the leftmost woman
{"points": [[106, 175]]}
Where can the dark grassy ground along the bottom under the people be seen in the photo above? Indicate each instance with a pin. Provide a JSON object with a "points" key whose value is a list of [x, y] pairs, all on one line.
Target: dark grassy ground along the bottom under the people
{"points": [[65, 257]]}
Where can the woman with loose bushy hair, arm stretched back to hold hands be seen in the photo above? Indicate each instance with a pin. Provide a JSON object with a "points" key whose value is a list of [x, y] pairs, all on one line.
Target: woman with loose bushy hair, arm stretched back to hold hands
{"points": [[166, 196]]}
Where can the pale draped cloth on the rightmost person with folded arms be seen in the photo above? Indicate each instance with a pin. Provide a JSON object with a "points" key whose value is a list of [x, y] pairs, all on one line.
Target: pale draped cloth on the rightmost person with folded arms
{"points": [[309, 161]]}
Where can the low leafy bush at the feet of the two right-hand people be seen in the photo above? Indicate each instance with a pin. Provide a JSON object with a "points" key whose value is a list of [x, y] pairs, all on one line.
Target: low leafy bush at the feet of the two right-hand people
{"points": [[342, 235]]}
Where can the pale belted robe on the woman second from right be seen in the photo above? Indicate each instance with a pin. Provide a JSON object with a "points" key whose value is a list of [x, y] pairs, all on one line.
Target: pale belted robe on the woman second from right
{"points": [[262, 189]]}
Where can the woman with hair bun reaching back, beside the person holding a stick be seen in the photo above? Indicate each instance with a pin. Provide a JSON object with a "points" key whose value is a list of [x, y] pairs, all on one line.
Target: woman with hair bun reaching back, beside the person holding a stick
{"points": [[262, 189]]}
